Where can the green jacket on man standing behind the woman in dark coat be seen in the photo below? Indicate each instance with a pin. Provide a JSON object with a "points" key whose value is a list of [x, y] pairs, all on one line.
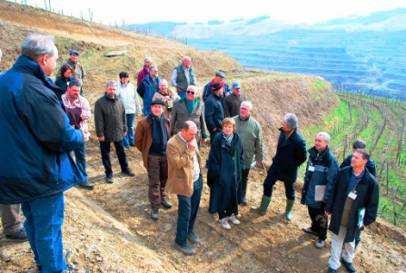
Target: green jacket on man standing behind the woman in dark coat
{"points": [[250, 133]]}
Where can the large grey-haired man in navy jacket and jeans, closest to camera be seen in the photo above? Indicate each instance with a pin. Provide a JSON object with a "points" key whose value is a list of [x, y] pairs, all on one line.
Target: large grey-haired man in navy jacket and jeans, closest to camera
{"points": [[36, 139]]}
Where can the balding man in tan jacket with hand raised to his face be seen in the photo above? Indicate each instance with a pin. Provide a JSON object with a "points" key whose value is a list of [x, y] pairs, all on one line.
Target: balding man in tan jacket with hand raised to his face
{"points": [[185, 180]]}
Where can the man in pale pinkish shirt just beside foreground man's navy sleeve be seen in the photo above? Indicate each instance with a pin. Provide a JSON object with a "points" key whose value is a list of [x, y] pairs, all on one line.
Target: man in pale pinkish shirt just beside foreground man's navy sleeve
{"points": [[78, 110]]}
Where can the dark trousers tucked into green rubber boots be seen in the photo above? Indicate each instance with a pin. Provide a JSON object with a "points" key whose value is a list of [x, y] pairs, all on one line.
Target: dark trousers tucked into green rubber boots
{"points": [[273, 176]]}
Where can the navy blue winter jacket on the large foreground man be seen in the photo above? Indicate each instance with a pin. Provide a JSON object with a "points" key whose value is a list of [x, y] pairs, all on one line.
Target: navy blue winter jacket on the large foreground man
{"points": [[36, 136]]}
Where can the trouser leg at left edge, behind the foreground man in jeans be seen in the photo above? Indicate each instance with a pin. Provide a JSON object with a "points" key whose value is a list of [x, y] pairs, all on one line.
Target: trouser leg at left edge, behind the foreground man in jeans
{"points": [[10, 219]]}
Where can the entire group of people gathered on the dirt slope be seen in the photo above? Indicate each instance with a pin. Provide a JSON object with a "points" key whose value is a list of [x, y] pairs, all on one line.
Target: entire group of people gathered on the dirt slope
{"points": [[45, 128]]}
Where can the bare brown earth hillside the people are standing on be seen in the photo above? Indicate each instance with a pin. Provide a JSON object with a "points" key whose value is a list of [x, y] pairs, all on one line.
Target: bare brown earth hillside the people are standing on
{"points": [[108, 229]]}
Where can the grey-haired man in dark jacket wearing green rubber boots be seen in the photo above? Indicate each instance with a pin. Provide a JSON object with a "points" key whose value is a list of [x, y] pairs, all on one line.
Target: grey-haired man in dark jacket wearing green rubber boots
{"points": [[290, 154]]}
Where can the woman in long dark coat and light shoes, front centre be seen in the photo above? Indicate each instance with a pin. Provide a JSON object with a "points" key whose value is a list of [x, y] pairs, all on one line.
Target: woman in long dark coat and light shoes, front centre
{"points": [[224, 173]]}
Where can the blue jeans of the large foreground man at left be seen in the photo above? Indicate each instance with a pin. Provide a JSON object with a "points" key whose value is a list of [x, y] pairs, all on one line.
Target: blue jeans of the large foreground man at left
{"points": [[43, 225]]}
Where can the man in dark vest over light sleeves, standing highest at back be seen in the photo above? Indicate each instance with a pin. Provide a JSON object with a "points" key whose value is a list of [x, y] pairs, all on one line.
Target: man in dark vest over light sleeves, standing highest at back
{"points": [[183, 76]]}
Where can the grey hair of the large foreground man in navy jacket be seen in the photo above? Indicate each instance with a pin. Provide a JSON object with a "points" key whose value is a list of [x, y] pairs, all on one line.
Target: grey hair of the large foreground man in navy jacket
{"points": [[35, 45]]}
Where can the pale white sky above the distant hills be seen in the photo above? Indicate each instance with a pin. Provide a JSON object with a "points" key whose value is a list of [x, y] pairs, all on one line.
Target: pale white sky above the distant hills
{"points": [[290, 11]]}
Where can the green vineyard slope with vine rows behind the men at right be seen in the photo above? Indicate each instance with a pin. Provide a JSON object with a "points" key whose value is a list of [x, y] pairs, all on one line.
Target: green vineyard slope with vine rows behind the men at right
{"points": [[381, 123]]}
